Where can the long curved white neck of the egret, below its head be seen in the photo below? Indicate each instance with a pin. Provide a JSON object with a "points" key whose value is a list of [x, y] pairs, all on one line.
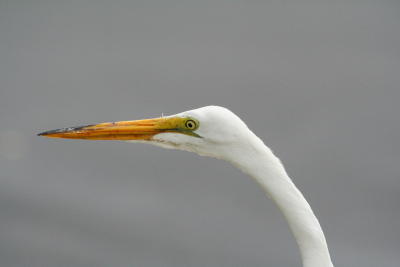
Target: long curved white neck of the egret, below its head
{"points": [[258, 161]]}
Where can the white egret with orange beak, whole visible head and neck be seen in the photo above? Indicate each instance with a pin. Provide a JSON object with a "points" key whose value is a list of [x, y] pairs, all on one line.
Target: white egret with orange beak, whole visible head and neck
{"points": [[217, 132]]}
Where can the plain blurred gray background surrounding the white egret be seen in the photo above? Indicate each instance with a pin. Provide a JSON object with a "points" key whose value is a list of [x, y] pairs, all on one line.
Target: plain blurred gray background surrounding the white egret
{"points": [[317, 80]]}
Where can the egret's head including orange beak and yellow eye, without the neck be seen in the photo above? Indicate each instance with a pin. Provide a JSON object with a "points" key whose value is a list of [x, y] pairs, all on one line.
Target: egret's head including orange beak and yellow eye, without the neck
{"points": [[210, 131]]}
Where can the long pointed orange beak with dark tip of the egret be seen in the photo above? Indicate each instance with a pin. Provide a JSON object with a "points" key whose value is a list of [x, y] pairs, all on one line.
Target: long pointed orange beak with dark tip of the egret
{"points": [[122, 130]]}
